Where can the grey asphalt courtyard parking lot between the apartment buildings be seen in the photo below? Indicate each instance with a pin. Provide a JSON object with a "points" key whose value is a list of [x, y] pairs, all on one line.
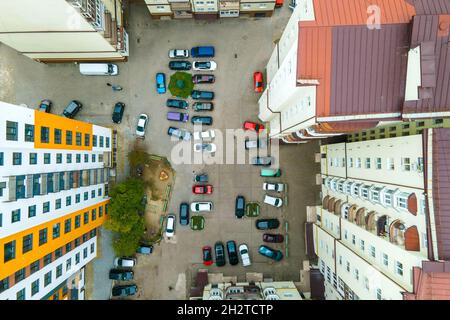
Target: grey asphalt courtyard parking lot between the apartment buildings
{"points": [[242, 47]]}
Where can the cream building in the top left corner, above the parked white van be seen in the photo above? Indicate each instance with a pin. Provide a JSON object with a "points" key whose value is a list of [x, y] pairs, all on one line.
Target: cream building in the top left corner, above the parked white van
{"points": [[65, 30]]}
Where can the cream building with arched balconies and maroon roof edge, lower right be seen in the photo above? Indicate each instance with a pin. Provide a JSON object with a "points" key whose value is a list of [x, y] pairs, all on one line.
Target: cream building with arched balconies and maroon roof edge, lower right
{"points": [[382, 214]]}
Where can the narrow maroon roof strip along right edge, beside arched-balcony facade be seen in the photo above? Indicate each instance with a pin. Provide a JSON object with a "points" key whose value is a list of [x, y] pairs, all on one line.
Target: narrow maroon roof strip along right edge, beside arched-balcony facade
{"points": [[441, 190]]}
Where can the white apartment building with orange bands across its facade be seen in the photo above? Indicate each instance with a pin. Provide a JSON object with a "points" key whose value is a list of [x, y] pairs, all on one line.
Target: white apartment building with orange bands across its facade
{"points": [[54, 174]]}
